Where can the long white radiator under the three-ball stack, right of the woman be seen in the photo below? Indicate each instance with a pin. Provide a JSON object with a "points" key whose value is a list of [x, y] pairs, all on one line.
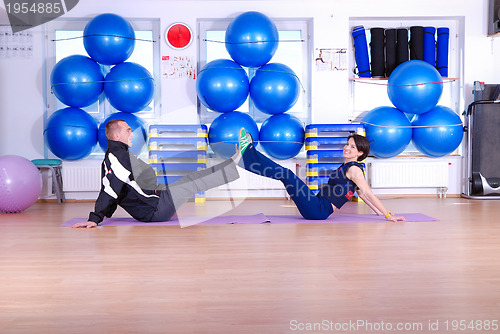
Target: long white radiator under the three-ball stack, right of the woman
{"points": [[419, 174]]}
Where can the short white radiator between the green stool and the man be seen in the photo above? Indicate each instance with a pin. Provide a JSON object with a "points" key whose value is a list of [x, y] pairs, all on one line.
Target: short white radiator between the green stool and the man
{"points": [[81, 178]]}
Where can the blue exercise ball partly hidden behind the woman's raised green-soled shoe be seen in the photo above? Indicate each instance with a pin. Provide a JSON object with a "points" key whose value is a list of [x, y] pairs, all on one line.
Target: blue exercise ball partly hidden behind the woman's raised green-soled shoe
{"points": [[224, 132]]}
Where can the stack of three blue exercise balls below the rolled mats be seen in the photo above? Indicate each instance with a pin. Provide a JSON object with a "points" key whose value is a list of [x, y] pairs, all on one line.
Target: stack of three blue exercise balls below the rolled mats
{"points": [[414, 89]]}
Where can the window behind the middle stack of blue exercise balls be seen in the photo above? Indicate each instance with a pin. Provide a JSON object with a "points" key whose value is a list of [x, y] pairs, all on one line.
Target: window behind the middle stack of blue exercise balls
{"points": [[294, 50]]}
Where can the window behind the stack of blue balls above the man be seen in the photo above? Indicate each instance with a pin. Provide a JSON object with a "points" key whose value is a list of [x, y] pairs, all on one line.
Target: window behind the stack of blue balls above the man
{"points": [[64, 38]]}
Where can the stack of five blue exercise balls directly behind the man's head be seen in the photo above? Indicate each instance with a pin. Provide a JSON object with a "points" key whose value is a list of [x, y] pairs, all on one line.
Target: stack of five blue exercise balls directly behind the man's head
{"points": [[78, 81]]}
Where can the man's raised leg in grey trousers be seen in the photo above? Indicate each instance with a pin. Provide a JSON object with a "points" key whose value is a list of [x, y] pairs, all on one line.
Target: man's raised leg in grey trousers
{"points": [[183, 190]]}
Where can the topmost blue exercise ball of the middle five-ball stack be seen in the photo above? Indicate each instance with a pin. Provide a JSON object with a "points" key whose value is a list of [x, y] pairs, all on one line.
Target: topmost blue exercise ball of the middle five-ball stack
{"points": [[252, 39]]}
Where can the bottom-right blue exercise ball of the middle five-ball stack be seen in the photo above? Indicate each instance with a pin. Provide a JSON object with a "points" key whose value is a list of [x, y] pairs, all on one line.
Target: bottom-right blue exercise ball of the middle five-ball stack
{"points": [[282, 136]]}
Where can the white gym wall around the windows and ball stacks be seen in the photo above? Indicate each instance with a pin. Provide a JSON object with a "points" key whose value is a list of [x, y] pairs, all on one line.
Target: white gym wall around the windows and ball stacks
{"points": [[21, 81]]}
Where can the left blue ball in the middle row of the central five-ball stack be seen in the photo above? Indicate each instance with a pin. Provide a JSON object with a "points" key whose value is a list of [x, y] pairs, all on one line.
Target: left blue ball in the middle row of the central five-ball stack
{"points": [[222, 85]]}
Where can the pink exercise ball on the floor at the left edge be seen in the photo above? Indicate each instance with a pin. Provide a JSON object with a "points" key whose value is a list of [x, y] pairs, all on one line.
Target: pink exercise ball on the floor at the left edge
{"points": [[20, 183]]}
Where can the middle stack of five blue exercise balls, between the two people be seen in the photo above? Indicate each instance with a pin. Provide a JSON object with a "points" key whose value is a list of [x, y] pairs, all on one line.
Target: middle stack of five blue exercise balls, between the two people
{"points": [[223, 86]]}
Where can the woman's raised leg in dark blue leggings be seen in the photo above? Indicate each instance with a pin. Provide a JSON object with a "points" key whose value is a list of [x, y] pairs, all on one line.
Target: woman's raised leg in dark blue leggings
{"points": [[310, 206]]}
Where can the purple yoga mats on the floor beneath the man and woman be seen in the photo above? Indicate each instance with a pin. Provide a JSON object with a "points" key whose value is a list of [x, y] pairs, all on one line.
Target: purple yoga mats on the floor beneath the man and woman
{"points": [[257, 219]]}
